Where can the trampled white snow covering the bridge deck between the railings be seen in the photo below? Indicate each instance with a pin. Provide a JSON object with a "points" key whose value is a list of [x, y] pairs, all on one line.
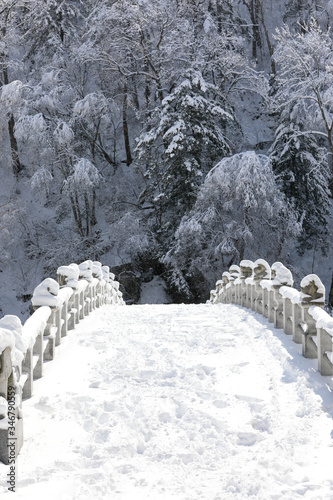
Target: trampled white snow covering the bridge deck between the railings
{"points": [[177, 402]]}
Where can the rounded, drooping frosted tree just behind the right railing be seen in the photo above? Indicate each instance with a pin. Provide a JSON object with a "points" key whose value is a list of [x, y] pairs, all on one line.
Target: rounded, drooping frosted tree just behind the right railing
{"points": [[239, 213]]}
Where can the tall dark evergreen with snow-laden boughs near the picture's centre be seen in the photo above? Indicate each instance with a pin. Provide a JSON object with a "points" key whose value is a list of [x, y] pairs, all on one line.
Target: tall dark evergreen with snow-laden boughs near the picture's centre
{"points": [[182, 147]]}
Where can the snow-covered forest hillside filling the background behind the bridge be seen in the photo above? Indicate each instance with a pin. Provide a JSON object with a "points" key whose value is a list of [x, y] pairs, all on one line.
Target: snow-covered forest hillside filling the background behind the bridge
{"points": [[170, 138]]}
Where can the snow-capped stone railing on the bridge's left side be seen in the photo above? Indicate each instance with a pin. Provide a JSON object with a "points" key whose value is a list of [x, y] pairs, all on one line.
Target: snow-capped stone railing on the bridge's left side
{"points": [[58, 307]]}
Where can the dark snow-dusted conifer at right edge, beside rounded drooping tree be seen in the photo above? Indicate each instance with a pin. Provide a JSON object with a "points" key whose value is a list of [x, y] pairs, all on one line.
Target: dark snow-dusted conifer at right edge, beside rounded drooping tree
{"points": [[301, 166]]}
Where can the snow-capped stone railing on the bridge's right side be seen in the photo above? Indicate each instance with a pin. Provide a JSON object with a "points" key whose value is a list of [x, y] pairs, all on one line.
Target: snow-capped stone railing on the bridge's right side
{"points": [[268, 291]]}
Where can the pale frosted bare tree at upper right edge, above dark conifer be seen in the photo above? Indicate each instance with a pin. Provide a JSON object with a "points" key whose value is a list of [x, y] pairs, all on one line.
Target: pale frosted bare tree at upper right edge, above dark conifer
{"points": [[305, 80]]}
